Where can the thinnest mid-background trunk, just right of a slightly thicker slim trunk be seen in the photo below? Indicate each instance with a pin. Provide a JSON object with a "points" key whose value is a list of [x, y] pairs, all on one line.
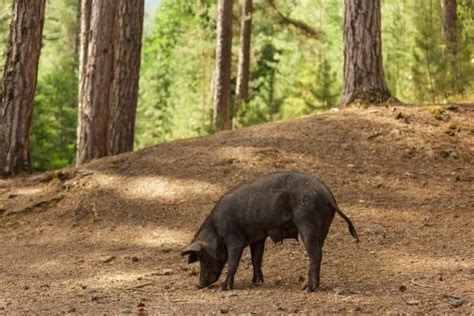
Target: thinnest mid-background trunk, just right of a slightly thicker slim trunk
{"points": [[243, 71]]}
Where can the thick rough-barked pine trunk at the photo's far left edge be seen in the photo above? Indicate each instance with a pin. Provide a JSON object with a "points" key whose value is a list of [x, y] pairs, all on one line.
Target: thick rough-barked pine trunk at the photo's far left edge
{"points": [[18, 85]]}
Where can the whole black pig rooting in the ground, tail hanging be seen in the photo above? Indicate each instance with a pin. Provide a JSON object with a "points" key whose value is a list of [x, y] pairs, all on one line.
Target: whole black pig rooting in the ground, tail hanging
{"points": [[280, 205]]}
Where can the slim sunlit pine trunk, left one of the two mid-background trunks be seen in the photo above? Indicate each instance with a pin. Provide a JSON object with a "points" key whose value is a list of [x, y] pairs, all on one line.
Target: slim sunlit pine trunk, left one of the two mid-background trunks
{"points": [[221, 115]]}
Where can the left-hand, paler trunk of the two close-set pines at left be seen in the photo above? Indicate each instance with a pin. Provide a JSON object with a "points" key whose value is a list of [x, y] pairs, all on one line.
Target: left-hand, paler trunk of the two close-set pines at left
{"points": [[96, 81]]}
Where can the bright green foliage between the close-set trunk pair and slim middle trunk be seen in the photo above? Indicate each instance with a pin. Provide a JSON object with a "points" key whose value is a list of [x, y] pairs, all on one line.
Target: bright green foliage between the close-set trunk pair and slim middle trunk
{"points": [[176, 72]]}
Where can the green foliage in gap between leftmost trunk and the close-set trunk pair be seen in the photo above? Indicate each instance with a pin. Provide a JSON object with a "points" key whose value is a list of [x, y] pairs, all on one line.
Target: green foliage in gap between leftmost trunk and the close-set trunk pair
{"points": [[53, 129]]}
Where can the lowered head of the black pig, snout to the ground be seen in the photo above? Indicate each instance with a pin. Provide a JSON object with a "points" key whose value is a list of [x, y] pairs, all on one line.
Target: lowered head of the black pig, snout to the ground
{"points": [[211, 257]]}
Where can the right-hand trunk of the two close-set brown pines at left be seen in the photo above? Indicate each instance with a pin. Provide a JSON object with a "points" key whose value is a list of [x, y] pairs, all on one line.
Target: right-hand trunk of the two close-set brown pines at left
{"points": [[128, 43]]}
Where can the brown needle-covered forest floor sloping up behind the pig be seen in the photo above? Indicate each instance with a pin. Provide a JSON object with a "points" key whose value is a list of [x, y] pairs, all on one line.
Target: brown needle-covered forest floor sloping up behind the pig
{"points": [[106, 237]]}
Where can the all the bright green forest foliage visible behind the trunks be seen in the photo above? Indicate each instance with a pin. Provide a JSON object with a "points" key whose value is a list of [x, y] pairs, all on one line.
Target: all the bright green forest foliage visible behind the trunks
{"points": [[291, 73]]}
